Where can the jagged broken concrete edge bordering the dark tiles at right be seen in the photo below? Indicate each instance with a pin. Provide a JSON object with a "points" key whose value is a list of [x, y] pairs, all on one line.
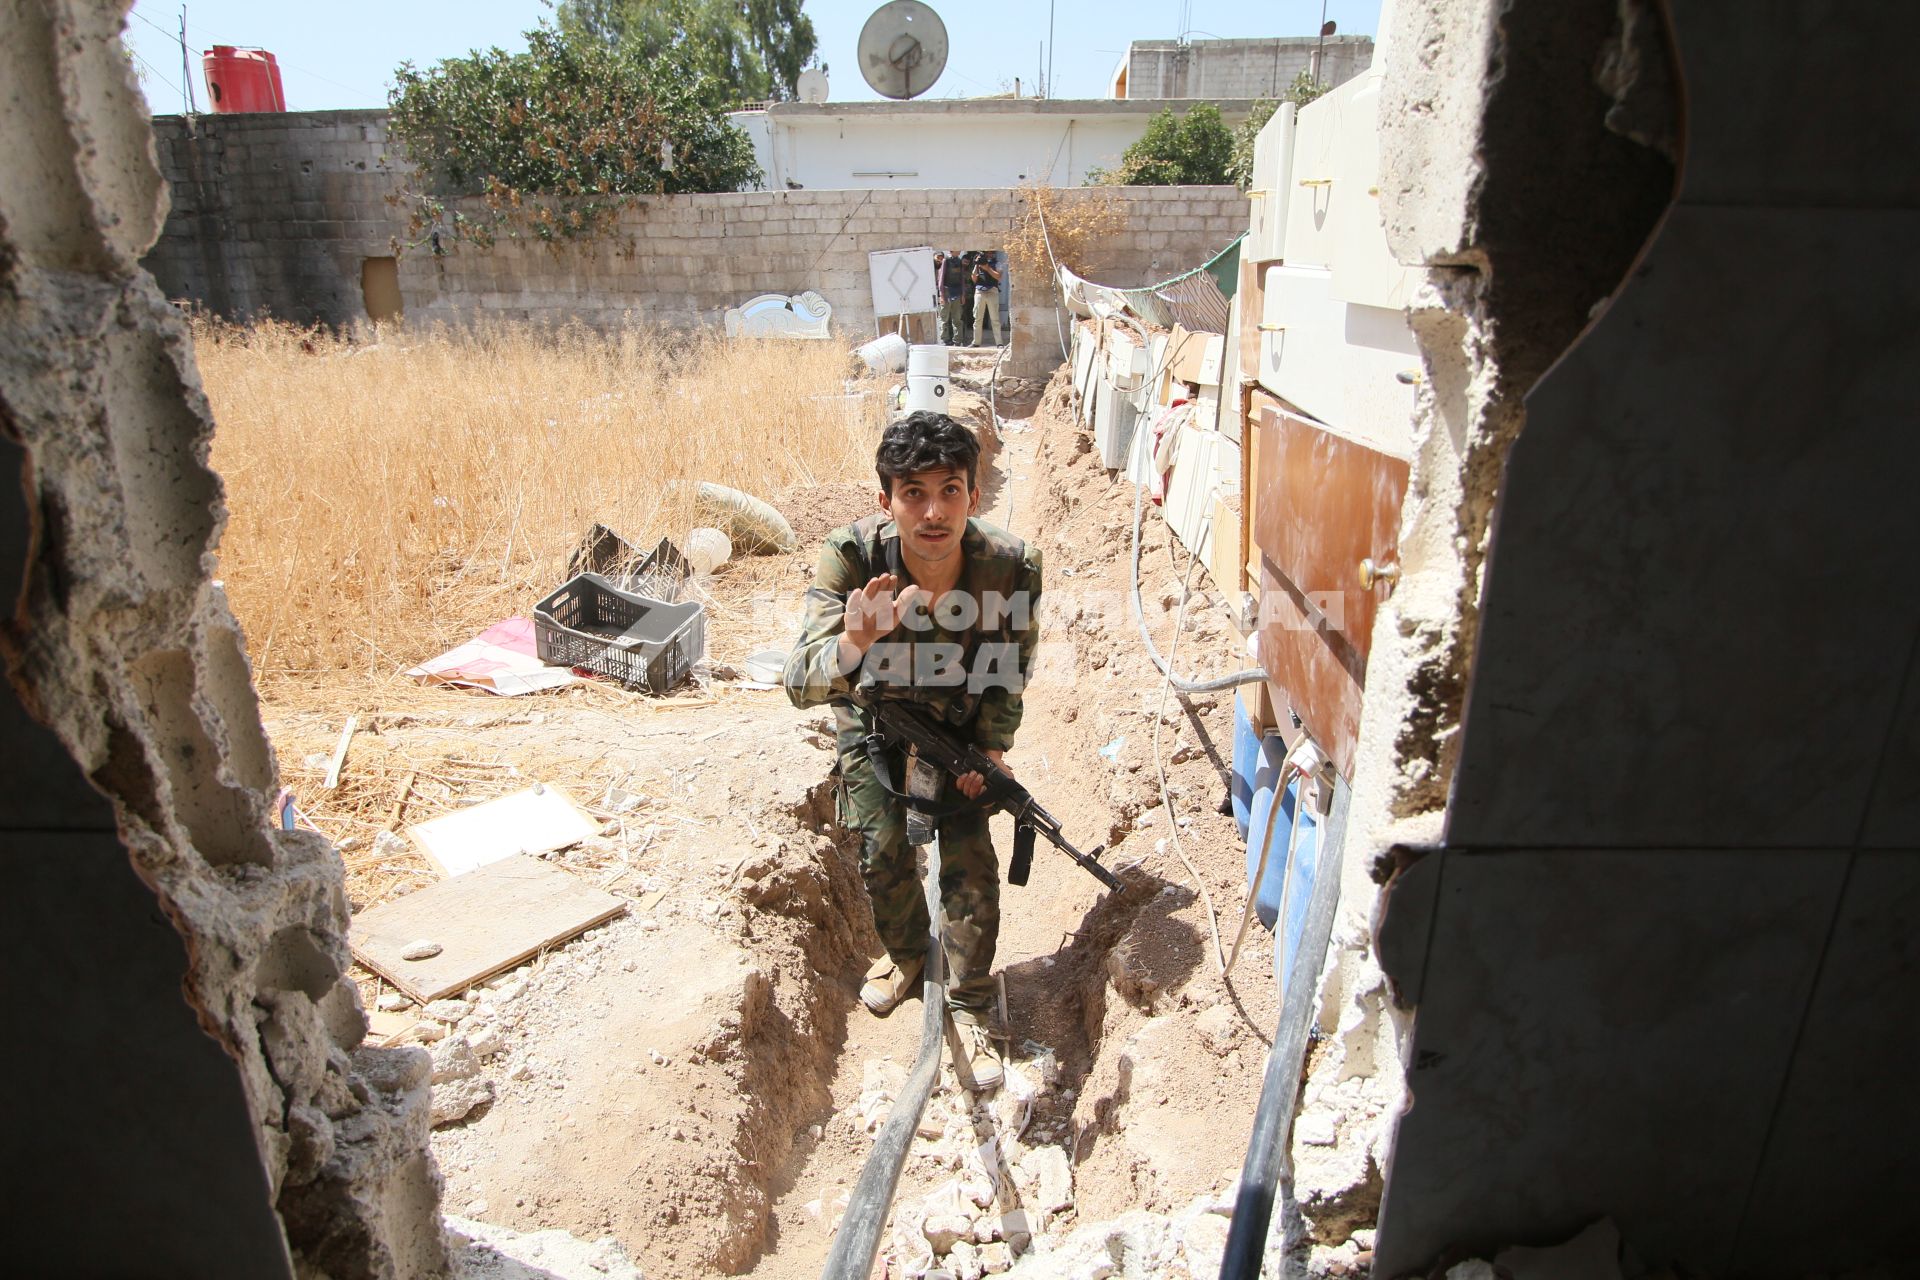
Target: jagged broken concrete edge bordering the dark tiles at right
{"points": [[1504, 178]]}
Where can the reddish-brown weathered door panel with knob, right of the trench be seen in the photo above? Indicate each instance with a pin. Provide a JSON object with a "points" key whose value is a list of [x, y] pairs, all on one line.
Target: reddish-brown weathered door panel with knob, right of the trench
{"points": [[1324, 506]]}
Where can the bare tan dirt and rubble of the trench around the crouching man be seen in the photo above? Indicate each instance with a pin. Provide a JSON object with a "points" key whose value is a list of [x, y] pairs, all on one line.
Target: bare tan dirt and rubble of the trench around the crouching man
{"points": [[698, 1079]]}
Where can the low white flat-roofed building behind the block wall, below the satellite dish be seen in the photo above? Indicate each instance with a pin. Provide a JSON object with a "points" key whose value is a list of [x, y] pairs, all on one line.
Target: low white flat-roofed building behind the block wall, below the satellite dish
{"points": [[948, 143]]}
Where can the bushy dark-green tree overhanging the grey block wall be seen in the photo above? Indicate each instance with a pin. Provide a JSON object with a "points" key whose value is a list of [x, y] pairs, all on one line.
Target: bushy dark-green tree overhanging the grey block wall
{"points": [[550, 143]]}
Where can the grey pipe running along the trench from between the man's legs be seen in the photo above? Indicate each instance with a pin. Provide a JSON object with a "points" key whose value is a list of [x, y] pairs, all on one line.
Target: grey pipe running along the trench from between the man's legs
{"points": [[857, 1241]]}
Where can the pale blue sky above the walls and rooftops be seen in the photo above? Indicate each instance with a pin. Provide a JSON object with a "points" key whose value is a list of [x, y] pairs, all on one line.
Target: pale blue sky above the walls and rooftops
{"points": [[343, 55]]}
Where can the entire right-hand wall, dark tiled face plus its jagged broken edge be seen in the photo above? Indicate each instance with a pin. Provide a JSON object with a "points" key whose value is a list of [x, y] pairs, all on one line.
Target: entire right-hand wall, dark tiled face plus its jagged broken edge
{"points": [[1641, 690]]}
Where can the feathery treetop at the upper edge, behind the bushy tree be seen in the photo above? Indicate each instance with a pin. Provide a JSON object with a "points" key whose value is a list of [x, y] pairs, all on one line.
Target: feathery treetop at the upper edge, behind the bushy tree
{"points": [[752, 49]]}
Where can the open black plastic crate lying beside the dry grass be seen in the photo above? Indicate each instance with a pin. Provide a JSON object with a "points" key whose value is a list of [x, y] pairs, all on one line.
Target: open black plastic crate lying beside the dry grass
{"points": [[640, 642]]}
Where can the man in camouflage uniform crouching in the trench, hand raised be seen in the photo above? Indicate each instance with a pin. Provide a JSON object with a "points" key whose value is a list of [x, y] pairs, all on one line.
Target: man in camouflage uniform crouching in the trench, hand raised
{"points": [[934, 605]]}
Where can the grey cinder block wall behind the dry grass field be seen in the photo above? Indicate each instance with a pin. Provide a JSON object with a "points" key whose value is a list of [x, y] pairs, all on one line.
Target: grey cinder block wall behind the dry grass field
{"points": [[276, 216]]}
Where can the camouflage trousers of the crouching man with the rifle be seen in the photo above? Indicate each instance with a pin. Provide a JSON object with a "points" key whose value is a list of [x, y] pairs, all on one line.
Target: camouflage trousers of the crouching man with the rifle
{"points": [[971, 882]]}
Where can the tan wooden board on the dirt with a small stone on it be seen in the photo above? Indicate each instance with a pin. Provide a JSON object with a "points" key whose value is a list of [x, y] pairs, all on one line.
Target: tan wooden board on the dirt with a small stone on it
{"points": [[485, 922]]}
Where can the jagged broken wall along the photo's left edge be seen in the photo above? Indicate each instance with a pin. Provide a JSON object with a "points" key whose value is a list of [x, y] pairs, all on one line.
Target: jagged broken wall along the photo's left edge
{"points": [[122, 648]]}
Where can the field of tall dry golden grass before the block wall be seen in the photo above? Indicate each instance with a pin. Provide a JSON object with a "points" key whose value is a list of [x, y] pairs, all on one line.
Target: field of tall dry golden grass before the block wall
{"points": [[389, 502]]}
